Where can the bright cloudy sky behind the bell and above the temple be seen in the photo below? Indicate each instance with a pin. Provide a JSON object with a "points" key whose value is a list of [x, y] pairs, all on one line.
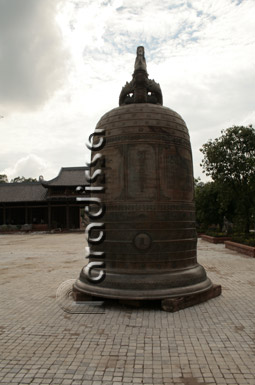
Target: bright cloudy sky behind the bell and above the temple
{"points": [[64, 62]]}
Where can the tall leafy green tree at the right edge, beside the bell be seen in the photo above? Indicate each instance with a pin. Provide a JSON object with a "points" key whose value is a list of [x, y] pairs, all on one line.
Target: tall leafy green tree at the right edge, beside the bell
{"points": [[230, 161]]}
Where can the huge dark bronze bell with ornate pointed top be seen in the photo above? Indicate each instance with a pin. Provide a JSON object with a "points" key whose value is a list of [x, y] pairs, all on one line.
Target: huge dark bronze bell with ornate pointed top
{"points": [[150, 242]]}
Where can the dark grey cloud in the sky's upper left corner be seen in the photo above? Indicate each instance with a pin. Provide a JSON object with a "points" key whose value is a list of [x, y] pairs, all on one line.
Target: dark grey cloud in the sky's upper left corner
{"points": [[32, 58]]}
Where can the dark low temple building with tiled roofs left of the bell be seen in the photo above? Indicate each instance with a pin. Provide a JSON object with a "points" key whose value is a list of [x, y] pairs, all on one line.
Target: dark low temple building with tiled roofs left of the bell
{"points": [[45, 205]]}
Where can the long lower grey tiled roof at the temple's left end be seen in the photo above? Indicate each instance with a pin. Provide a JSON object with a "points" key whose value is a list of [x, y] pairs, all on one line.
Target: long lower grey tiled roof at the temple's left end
{"points": [[22, 192]]}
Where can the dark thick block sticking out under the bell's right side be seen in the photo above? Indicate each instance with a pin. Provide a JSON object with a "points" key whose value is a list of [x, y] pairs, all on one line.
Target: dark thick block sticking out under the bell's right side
{"points": [[174, 304]]}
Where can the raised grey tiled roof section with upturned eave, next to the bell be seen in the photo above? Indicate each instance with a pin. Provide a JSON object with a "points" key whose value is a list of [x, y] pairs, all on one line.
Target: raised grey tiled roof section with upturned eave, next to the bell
{"points": [[68, 176]]}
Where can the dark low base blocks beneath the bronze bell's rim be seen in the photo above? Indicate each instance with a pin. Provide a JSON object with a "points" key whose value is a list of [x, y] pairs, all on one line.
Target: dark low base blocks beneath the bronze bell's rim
{"points": [[167, 304]]}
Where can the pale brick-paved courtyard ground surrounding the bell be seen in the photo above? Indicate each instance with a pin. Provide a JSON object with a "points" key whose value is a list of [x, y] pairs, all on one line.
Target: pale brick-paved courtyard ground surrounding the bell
{"points": [[212, 343]]}
